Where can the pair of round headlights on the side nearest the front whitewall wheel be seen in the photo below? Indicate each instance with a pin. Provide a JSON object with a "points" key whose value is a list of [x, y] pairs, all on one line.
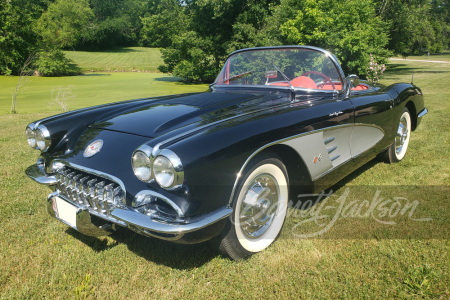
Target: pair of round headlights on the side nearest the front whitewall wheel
{"points": [[165, 167]]}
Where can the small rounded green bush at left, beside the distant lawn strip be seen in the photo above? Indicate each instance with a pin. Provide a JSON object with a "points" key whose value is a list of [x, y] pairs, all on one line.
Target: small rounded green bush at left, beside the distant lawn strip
{"points": [[53, 63]]}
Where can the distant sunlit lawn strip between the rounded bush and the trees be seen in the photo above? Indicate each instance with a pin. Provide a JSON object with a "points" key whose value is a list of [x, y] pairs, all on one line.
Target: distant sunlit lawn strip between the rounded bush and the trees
{"points": [[120, 59]]}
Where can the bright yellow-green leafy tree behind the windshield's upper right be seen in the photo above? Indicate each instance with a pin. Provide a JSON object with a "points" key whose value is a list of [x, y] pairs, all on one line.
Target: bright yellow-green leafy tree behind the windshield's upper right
{"points": [[349, 29]]}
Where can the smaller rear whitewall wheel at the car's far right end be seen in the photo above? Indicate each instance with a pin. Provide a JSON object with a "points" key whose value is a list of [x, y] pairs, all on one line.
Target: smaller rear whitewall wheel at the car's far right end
{"points": [[397, 151]]}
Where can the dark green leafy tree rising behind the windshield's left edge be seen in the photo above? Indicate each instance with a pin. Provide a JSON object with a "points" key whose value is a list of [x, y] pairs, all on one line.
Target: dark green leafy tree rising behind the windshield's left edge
{"points": [[198, 50]]}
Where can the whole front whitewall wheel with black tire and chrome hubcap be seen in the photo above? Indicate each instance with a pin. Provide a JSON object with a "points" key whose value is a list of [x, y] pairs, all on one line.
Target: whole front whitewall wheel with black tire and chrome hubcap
{"points": [[259, 210]]}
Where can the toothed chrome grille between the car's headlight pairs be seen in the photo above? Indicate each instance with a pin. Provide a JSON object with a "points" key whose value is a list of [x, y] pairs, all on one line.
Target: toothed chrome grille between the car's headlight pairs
{"points": [[99, 194]]}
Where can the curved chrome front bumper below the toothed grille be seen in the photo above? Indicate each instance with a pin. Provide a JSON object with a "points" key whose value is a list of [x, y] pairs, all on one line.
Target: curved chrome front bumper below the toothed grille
{"points": [[124, 217]]}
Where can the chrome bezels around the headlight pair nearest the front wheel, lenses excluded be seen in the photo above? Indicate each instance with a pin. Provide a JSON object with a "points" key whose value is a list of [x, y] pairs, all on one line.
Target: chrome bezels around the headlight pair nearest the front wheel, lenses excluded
{"points": [[174, 166]]}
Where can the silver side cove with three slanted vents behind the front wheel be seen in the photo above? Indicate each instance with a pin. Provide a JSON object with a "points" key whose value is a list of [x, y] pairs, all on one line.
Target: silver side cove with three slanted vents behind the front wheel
{"points": [[324, 150]]}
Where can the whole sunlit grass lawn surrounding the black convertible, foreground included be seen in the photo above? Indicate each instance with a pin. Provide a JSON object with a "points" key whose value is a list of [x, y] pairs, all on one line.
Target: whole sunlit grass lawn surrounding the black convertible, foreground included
{"points": [[358, 258]]}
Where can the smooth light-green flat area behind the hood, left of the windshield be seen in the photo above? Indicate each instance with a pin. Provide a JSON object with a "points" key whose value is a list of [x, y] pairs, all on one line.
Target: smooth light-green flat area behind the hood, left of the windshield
{"points": [[90, 89]]}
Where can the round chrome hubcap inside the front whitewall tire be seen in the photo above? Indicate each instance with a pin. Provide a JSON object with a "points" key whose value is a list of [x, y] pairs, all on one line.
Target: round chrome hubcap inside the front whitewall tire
{"points": [[259, 206]]}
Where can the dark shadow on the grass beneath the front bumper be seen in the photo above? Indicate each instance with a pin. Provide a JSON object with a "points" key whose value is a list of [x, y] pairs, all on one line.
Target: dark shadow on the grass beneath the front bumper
{"points": [[178, 256]]}
